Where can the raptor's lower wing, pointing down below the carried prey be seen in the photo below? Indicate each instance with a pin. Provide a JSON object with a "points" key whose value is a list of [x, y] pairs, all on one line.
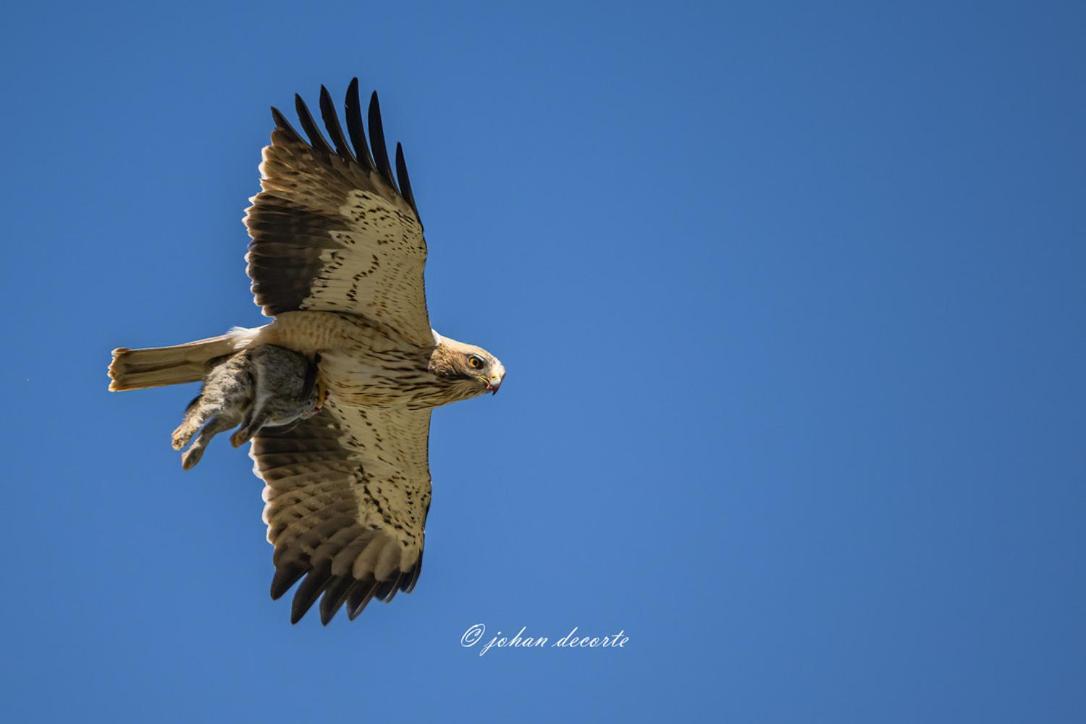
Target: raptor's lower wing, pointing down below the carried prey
{"points": [[347, 496]]}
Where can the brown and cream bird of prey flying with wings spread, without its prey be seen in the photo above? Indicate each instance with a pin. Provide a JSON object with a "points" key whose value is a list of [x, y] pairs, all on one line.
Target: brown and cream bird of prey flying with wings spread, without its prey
{"points": [[336, 260]]}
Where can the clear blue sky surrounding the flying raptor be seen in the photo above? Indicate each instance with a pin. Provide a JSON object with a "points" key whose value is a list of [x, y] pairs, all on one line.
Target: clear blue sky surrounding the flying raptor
{"points": [[793, 306]]}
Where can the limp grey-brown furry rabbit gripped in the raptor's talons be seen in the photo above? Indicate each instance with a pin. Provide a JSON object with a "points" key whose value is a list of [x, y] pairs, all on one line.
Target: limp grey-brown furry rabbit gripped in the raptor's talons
{"points": [[267, 387]]}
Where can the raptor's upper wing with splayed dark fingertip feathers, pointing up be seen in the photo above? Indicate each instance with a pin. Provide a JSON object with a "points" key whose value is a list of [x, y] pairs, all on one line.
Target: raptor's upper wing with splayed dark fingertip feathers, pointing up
{"points": [[332, 230]]}
